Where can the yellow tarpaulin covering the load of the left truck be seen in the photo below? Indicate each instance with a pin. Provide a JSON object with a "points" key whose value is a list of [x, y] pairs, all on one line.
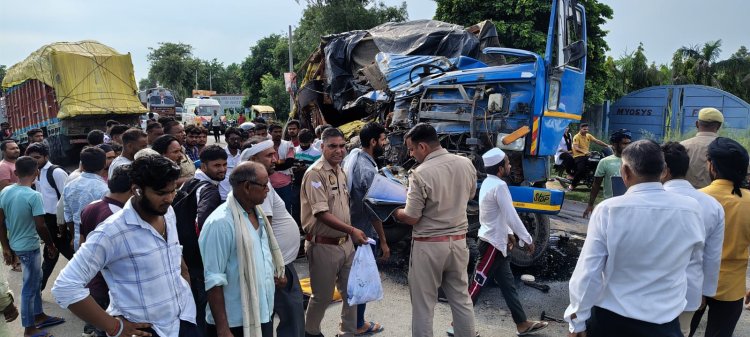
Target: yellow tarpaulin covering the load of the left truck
{"points": [[89, 78]]}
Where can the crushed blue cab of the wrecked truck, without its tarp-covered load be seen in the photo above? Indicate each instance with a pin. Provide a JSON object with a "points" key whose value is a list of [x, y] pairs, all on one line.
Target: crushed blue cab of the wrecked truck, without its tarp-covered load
{"points": [[521, 105]]}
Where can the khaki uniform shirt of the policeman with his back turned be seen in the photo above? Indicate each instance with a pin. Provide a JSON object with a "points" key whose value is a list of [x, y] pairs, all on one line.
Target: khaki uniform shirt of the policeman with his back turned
{"points": [[439, 190]]}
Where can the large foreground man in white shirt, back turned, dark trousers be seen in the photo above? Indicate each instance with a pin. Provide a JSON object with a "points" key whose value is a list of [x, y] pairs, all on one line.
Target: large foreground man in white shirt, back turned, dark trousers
{"points": [[631, 276]]}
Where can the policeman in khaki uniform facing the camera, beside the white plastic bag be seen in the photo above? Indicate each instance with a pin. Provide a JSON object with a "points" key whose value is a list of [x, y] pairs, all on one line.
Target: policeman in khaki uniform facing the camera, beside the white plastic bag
{"points": [[329, 247]]}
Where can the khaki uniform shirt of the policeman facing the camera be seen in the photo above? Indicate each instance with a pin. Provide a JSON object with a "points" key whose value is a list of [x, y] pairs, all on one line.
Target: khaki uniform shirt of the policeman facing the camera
{"points": [[324, 190]]}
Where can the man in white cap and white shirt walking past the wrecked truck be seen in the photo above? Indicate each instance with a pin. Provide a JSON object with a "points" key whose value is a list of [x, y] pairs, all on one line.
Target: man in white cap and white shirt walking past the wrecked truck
{"points": [[499, 222]]}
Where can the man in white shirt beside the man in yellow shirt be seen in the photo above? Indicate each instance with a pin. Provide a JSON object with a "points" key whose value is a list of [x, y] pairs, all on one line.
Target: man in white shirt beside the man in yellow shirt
{"points": [[702, 279]]}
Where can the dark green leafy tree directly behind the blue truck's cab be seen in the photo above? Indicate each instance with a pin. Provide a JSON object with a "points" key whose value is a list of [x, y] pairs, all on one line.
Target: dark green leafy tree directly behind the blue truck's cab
{"points": [[523, 24]]}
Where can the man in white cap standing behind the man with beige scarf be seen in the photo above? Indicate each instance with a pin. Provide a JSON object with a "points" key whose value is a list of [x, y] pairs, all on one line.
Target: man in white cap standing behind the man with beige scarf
{"points": [[287, 300]]}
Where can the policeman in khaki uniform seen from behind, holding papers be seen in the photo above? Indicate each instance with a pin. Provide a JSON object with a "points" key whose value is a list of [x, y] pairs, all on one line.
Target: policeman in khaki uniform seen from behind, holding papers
{"points": [[439, 190]]}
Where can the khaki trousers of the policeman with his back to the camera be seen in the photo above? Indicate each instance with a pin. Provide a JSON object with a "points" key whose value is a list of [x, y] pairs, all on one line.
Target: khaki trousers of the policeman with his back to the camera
{"points": [[436, 264]]}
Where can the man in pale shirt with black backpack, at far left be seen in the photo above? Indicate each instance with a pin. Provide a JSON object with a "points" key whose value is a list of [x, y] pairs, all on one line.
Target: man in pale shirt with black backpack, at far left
{"points": [[50, 183]]}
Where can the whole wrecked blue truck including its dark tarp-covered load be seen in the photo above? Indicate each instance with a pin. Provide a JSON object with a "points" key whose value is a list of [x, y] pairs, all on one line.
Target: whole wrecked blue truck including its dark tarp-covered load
{"points": [[477, 94]]}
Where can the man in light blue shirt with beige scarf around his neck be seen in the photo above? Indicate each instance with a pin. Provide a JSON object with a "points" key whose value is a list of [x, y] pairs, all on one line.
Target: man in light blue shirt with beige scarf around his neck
{"points": [[242, 261]]}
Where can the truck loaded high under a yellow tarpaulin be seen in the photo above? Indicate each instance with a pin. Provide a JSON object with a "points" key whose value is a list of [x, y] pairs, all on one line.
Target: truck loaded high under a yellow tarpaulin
{"points": [[68, 89]]}
